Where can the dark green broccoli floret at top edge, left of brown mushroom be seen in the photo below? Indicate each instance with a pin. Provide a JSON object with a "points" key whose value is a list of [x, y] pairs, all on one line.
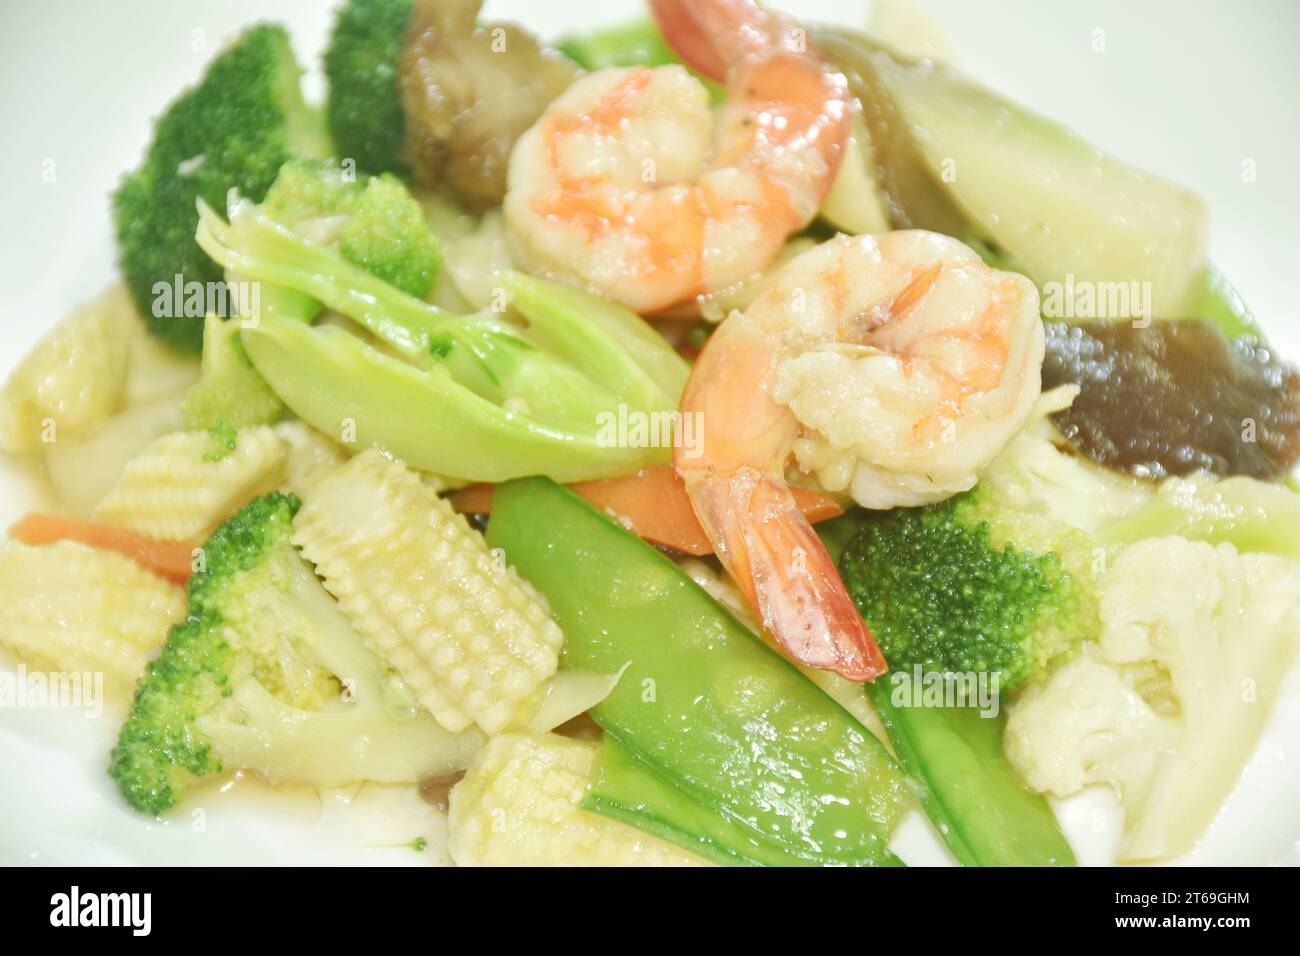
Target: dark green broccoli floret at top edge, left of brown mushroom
{"points": [[365, 106]]}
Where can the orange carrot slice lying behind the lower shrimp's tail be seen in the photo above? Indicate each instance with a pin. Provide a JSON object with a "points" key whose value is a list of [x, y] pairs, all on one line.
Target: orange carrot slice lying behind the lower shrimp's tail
{"points": [[653, 505]]}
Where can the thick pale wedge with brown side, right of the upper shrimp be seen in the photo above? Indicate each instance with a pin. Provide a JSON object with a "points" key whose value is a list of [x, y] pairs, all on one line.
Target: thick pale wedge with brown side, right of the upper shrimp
{"points": [[963, 161]]}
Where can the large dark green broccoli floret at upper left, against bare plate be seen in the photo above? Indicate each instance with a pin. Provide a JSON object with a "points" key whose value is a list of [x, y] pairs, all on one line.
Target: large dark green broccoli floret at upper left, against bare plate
{"points": [[233, 131]]}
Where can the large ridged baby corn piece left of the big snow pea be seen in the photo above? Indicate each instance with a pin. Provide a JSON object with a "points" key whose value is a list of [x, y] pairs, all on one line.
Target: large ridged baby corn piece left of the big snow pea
{"points": [[470, 638]]}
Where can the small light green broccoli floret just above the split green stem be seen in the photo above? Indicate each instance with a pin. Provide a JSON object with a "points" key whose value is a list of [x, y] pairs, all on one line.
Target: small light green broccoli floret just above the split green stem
{"points": [[374, 222]]}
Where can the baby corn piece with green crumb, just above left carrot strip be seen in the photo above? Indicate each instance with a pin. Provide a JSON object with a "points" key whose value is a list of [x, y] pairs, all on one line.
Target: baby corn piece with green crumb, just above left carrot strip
{"points": [[171, 491]]}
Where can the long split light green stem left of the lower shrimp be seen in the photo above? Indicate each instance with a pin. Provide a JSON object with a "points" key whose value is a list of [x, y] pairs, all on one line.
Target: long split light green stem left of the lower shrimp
{"points": [[482, 397]]}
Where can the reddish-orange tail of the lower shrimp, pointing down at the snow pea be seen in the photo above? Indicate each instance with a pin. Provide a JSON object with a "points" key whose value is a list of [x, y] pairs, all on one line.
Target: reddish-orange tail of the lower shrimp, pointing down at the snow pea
{"points": [[786, 574]]}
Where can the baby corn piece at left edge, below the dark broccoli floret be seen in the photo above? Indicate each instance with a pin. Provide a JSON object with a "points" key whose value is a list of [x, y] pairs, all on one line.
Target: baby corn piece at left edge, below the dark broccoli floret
{"points": [[73, 379]]}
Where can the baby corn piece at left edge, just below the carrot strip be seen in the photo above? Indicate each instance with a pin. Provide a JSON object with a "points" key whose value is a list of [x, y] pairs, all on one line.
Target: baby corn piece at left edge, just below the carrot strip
{"points": [[75, 609]]}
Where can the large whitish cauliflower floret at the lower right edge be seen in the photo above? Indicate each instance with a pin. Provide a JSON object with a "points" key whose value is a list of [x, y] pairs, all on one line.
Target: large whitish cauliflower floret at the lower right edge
{"points": [[1169, 704]]}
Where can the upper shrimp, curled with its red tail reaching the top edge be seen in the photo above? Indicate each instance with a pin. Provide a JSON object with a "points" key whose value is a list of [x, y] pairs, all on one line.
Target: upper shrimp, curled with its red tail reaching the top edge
{"points": [[625, 185]]}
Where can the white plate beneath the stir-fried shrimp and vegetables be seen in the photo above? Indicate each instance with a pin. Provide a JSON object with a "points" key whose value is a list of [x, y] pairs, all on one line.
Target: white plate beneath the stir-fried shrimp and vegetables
{"points": [[1195, 92]]}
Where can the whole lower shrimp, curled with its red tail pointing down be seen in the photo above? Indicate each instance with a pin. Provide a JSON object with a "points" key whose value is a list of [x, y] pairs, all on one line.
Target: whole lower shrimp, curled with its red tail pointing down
{"points": [[895, 367]]}
